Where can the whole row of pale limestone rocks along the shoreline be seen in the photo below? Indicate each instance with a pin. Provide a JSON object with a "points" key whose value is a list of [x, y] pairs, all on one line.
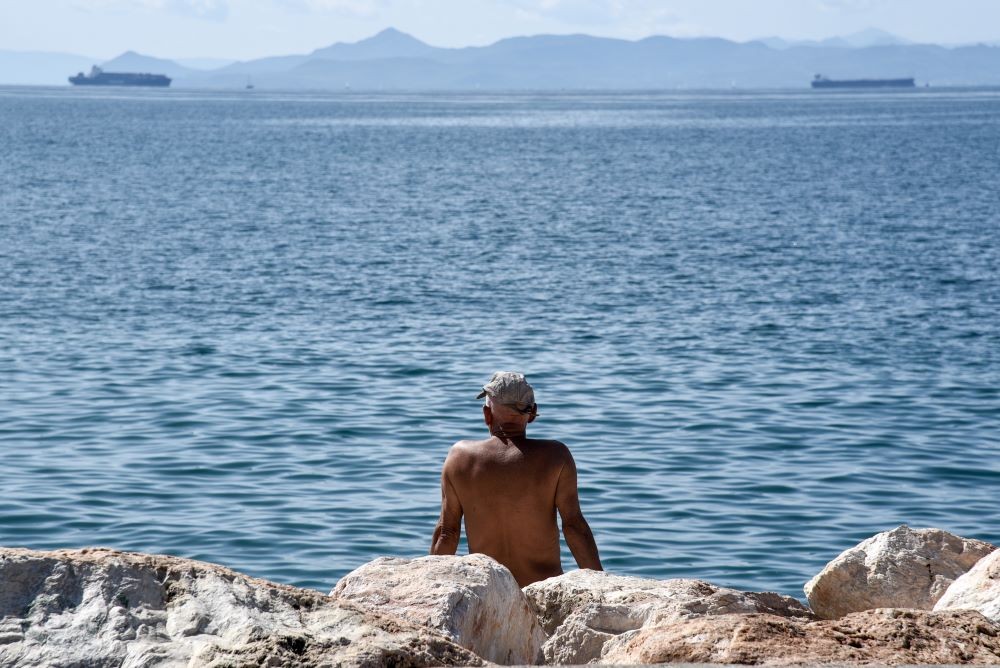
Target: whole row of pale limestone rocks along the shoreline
{"points": [[902, 597]]}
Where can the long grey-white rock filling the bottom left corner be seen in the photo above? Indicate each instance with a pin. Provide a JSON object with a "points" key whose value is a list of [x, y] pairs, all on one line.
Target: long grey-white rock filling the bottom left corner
{"points": [[98, 607]]}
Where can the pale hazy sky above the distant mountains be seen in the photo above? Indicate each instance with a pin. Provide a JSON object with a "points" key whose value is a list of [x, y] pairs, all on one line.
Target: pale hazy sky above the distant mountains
{"points": [[250, 28]]}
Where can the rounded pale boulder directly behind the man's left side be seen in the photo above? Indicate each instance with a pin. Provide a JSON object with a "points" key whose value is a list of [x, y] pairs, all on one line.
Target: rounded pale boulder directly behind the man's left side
{"points": [[472, 600]]}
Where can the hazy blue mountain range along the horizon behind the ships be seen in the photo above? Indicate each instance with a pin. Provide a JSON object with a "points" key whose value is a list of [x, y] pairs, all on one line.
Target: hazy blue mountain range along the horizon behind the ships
{"points": [[392, 60]]}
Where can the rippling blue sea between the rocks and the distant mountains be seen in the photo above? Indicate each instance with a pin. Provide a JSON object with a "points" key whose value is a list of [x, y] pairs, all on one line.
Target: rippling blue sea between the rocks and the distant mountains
{"points": [[246, 327]]}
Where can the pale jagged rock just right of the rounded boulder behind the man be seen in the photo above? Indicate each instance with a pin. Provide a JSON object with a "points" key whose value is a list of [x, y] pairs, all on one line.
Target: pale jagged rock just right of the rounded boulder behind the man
{"points": [[584, 610]]}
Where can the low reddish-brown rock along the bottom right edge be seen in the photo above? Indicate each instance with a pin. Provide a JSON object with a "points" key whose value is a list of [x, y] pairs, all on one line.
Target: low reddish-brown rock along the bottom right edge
{"points": [[884, 636]]}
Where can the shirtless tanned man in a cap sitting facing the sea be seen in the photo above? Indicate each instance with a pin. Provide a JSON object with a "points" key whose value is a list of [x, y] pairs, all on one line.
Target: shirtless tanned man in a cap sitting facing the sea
{"points": [[509, 488]]}
